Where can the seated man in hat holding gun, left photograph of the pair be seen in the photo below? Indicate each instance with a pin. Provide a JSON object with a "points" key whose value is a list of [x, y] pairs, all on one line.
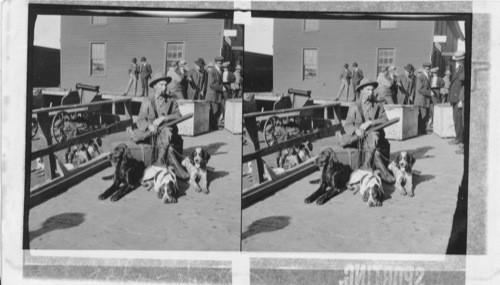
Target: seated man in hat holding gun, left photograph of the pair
{"points": [[157, 109]]}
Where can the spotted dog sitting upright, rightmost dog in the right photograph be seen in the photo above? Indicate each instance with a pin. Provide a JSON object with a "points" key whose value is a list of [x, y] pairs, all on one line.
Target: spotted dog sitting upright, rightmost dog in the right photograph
{"points": [[401, 167]]}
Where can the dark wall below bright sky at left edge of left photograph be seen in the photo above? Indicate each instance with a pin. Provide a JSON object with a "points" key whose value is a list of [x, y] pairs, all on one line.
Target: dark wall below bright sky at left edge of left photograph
{"points": [[46, 67]]}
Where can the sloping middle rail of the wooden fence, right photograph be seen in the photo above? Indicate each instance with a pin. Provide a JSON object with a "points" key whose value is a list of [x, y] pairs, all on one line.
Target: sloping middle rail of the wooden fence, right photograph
{"points": [[330, 131]]}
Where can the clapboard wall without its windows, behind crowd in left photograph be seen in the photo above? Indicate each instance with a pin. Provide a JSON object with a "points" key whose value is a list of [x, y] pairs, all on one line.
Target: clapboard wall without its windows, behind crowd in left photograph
{"points": [[128, 37]]}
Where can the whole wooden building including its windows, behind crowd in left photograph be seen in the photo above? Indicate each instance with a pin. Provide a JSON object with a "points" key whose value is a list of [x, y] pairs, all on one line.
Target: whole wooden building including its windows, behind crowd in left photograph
{"points": [[97, 50]]}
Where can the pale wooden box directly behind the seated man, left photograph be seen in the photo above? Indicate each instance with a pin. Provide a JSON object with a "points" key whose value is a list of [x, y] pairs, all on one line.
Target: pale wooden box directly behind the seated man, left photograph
{"points": [[198, 124]]}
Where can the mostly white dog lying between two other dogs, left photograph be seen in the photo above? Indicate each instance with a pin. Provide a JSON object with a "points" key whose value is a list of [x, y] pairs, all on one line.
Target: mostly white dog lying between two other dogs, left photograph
{"points": [[164, 182]]}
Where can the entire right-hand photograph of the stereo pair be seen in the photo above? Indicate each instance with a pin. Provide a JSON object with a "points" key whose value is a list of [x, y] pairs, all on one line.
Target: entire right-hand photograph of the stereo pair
{"points": [[354, 133]]}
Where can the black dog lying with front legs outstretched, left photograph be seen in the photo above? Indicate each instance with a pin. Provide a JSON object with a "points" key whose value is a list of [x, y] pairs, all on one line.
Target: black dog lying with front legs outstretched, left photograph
{"points": [[127, 171]]}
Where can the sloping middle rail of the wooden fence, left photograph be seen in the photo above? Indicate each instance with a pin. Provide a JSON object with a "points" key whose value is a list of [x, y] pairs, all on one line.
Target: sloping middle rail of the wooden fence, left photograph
{"points": [[114, 128]]}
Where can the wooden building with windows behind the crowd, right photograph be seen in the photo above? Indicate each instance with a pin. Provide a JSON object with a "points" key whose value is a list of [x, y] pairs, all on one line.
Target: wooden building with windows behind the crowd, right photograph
{"points": [[310, 54]]}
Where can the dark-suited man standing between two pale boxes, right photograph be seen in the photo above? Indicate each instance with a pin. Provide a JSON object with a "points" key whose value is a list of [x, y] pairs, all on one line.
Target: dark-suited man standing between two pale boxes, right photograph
{"points": [[423, 97]]}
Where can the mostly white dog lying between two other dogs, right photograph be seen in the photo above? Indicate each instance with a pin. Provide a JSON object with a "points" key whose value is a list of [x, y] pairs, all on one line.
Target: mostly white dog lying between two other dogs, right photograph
{"points": [[369, 184]]}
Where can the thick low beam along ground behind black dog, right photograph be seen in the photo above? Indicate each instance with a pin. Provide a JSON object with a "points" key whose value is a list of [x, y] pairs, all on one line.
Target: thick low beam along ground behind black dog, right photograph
{"points": [[259, 192]]}
